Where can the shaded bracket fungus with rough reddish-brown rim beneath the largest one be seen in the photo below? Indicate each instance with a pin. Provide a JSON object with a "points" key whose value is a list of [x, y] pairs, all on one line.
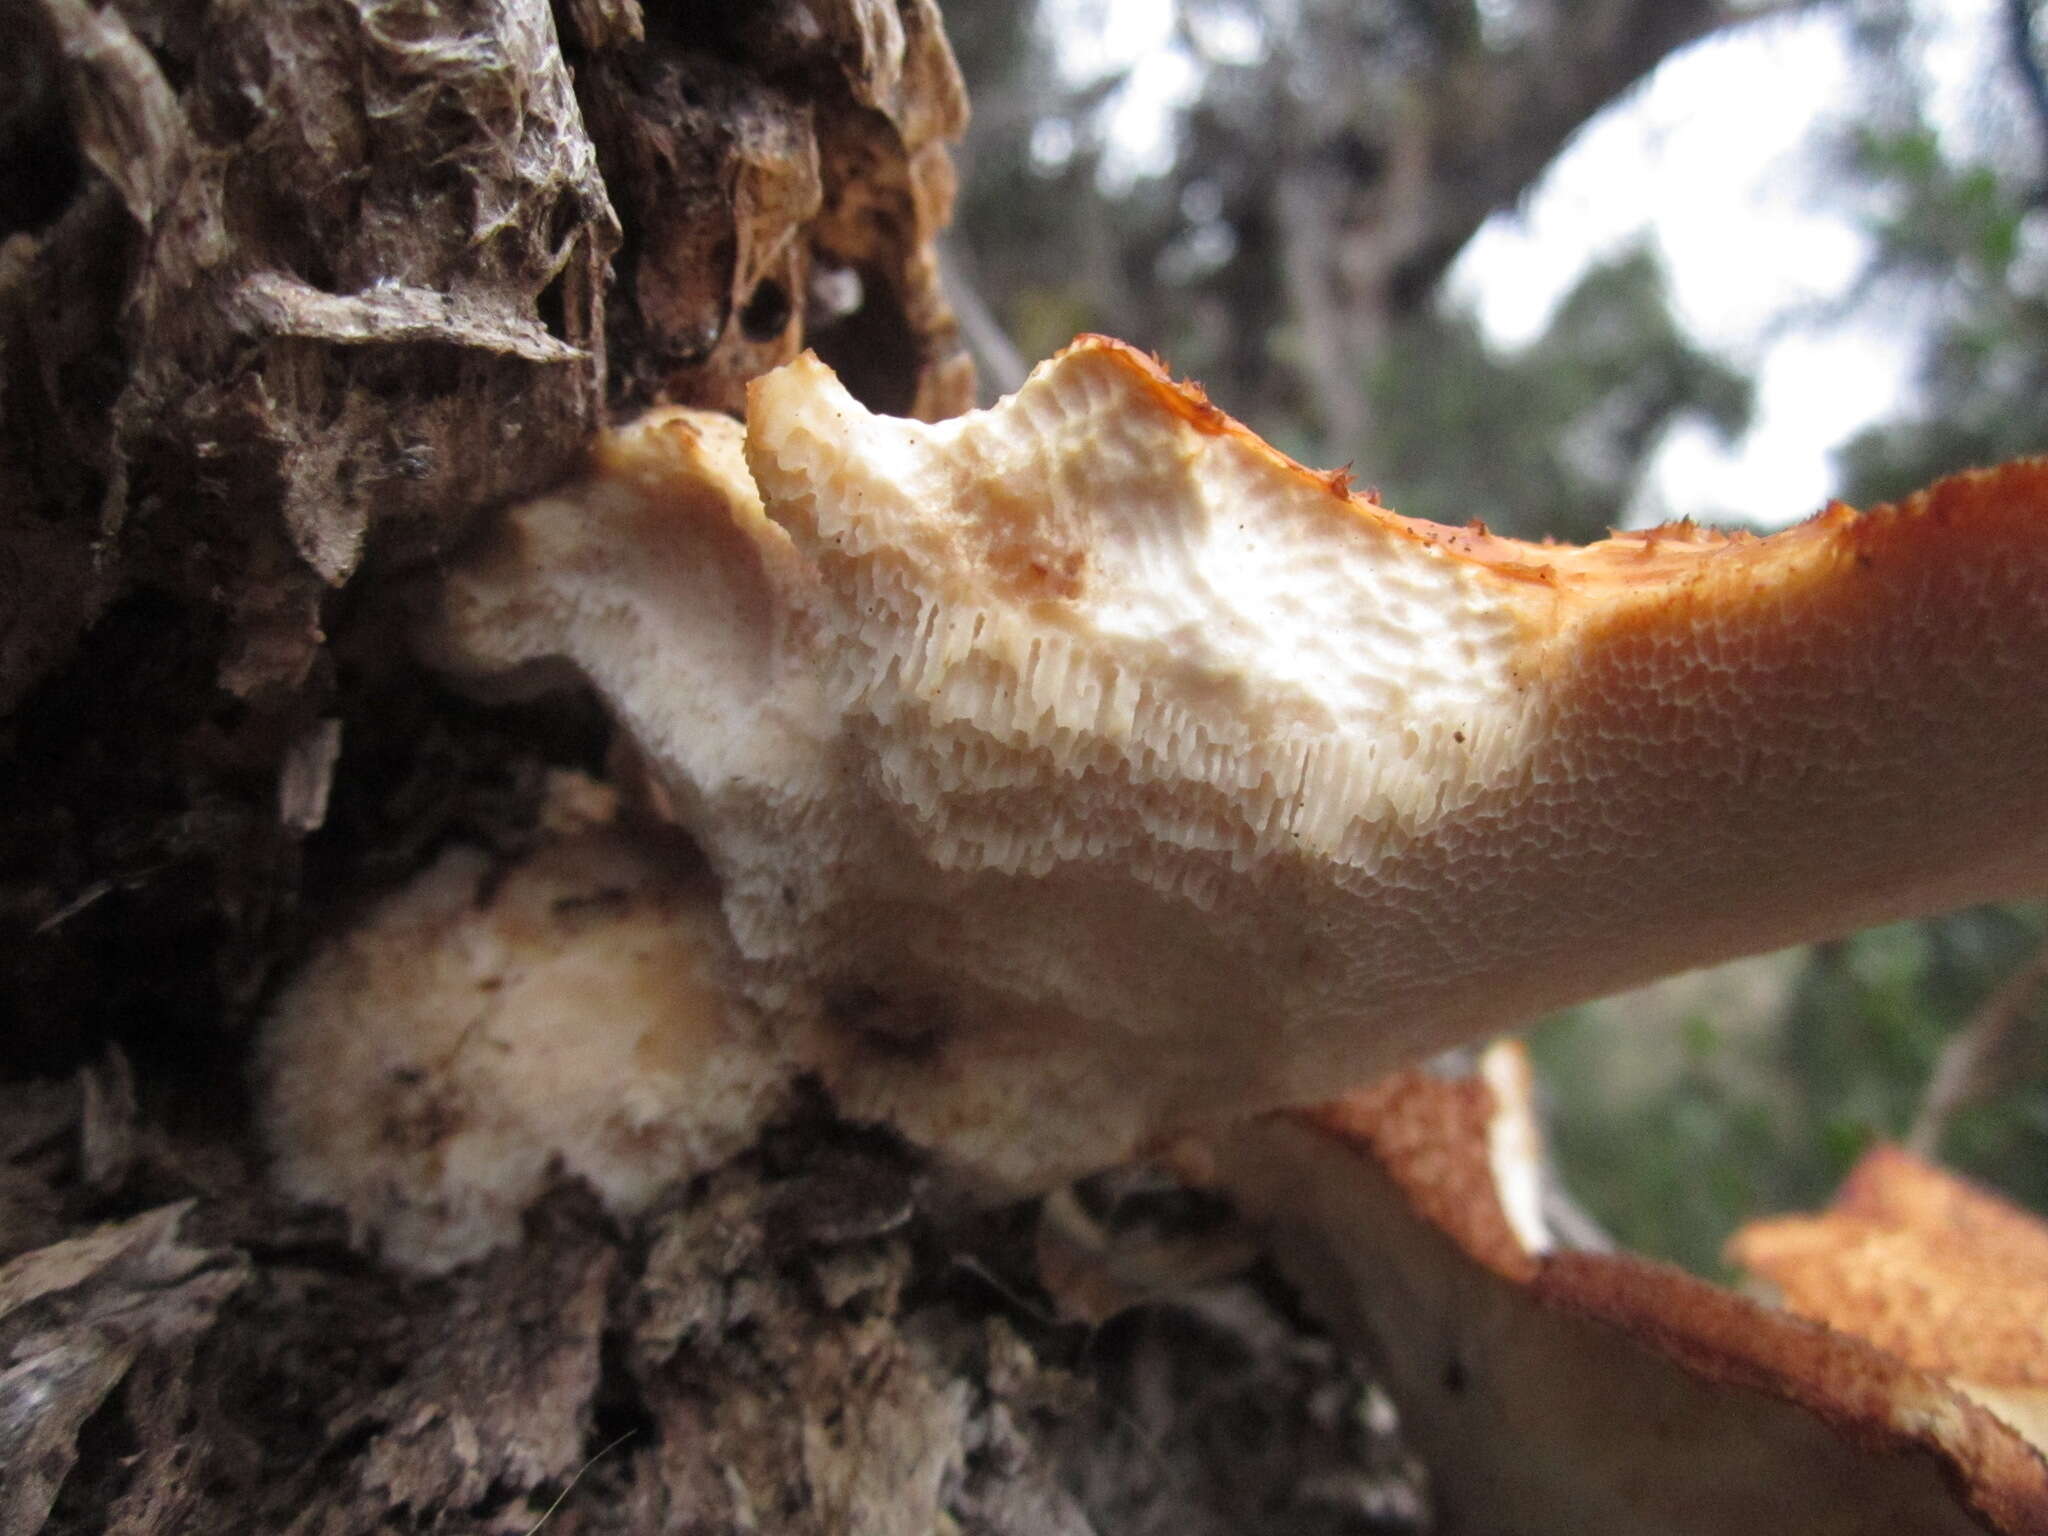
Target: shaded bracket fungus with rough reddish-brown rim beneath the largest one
{"points": [[1596, 1394]]}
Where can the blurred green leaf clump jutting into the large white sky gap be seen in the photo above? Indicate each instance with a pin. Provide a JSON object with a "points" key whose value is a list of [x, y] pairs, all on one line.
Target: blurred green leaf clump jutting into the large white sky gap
{"points": [[1551, 439]]}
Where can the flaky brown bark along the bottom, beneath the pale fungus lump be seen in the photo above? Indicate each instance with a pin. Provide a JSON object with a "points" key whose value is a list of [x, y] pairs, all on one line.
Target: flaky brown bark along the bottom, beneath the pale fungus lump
{"points": [[794, 1345]]}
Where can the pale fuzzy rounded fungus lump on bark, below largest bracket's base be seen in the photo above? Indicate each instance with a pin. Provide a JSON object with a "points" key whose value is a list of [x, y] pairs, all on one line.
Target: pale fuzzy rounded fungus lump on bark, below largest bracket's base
{"points": [[497, 1025]]}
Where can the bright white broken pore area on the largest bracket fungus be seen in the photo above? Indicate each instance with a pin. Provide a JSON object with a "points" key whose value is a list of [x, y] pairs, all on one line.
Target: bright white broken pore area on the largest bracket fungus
{"points": [[1082, 572]]}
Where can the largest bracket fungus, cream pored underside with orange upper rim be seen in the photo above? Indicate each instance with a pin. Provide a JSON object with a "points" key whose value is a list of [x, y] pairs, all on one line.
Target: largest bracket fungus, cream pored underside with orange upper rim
{"points": [[1099, 773]]}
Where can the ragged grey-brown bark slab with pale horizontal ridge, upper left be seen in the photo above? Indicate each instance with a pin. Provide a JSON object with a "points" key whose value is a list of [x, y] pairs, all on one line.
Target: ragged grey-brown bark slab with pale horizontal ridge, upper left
{"points": [[333, 177]]}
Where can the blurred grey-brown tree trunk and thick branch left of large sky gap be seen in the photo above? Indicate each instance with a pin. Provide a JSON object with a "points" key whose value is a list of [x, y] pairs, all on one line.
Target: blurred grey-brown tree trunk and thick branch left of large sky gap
{"points": [[1318, 171]]}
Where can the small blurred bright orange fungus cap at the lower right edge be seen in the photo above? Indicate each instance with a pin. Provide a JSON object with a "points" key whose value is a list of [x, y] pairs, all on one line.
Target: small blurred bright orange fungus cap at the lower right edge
{"points": [[1928, 1269]]}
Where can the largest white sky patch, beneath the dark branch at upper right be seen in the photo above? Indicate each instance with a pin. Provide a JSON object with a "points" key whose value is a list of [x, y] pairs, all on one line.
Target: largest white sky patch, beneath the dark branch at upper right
{"points": [[1713, 163]]}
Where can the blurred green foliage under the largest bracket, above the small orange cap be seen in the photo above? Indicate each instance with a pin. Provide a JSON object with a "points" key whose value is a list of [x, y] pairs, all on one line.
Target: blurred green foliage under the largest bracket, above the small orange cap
{"points": [[1770, 1119]]}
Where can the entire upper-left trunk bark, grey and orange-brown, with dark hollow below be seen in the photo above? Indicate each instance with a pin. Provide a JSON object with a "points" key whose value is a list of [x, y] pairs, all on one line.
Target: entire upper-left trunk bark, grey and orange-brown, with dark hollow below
{"points": [[312, 288]]}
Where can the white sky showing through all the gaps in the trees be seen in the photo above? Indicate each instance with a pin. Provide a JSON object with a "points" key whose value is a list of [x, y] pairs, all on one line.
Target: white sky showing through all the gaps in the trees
{"points": [[1717, 163]]}
